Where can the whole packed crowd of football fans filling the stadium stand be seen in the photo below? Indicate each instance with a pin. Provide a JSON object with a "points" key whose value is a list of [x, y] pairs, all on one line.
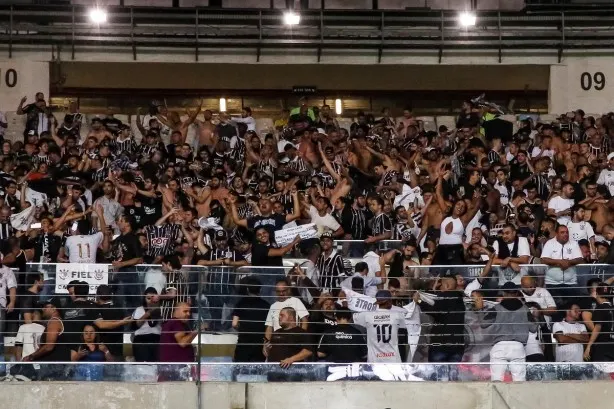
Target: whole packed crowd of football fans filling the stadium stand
{"points": [[477, 194]]}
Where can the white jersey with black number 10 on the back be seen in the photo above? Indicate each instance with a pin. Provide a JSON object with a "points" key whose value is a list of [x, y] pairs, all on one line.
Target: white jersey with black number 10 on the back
{"points": [[383, 334]]}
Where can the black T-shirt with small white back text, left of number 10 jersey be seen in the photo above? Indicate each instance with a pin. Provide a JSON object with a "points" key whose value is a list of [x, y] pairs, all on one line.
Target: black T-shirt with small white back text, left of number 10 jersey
{"points": [[343, 343]]}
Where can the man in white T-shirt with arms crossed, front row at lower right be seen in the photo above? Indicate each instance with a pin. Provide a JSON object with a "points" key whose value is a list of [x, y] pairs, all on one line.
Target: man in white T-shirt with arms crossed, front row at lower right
{"points": [[570, 336]]}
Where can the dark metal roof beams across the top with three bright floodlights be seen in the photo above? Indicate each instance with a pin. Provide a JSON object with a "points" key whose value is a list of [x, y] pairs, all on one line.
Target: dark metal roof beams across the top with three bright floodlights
{"points": [[380, 31]]}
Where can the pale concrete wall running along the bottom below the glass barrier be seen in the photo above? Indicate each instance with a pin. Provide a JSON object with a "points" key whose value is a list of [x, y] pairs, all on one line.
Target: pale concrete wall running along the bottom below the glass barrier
{"points": [[339, 395]]}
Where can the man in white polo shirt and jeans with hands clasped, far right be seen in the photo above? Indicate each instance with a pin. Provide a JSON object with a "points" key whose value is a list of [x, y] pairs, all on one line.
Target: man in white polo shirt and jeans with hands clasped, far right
{"points": [[562, 255]]}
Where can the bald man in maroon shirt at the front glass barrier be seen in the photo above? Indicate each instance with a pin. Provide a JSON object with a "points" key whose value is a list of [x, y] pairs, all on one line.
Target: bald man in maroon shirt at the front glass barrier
{"points": [[177, 336]]}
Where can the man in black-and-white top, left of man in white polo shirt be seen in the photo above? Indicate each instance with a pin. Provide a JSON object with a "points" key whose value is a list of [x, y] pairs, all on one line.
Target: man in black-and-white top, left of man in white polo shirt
{"points": [[512, 251]]}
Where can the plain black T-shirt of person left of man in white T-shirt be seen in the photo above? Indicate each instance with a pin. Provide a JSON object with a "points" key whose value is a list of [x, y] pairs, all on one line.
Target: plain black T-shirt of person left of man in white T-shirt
{"points": [[252, 313]]}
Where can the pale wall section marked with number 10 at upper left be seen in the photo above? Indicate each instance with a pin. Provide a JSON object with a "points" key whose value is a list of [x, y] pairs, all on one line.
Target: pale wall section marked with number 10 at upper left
{"points": [[22, 78]]}
